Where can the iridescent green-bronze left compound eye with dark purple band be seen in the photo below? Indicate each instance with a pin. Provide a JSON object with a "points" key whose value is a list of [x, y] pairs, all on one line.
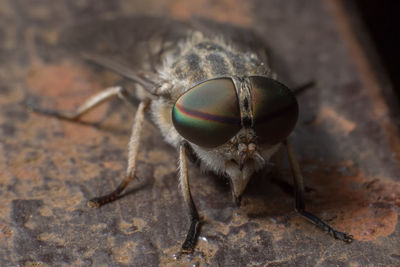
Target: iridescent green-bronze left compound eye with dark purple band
{"points": [[208, 114]]}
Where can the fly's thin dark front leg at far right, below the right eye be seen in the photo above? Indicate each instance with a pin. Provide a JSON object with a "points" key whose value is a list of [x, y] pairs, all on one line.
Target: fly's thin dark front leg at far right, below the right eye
{"points": [[300, 206]]}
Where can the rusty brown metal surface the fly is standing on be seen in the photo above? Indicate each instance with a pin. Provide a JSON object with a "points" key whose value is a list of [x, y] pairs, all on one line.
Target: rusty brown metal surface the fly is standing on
{"points": [[346, 141]]}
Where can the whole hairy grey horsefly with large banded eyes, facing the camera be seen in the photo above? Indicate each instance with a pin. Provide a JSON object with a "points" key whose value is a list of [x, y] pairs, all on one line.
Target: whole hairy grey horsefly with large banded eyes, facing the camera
{"points": [[210, 91]]}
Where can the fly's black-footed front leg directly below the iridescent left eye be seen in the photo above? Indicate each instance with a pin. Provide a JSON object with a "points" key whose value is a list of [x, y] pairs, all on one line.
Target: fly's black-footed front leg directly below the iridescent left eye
{"points": [[191, 237]]}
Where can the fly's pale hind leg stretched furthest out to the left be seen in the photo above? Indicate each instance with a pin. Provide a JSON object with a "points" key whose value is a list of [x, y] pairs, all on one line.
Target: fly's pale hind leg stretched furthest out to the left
{"points": [[89, 105]]}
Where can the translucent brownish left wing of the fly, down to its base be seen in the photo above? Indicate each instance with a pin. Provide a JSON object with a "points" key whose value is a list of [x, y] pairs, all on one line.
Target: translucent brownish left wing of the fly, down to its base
{"points": [[133, 47]]}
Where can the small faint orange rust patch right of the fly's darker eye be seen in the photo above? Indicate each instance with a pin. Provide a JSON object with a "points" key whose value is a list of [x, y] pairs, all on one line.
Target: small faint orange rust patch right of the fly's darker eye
{"points": [[340, 123]]}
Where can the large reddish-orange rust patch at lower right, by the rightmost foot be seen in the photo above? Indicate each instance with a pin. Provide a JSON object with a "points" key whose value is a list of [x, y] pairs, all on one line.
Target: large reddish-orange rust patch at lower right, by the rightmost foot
{"points": [[364, 207]]}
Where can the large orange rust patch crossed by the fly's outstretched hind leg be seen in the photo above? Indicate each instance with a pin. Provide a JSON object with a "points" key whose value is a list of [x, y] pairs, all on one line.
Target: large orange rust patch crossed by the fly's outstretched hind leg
{"points": [[68, 85]]}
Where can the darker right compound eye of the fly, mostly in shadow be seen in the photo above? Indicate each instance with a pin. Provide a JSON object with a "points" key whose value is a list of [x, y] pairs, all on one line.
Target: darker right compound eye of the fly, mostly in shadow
{"points": [[275, 110]]}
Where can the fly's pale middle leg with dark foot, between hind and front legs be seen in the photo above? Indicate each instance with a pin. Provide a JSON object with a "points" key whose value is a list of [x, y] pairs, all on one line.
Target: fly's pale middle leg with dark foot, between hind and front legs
{"points": [[132, 155]]}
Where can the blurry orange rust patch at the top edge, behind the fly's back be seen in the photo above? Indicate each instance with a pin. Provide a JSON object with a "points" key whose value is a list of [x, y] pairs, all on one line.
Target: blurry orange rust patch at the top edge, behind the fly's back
{"points": [[237, 12]]}
